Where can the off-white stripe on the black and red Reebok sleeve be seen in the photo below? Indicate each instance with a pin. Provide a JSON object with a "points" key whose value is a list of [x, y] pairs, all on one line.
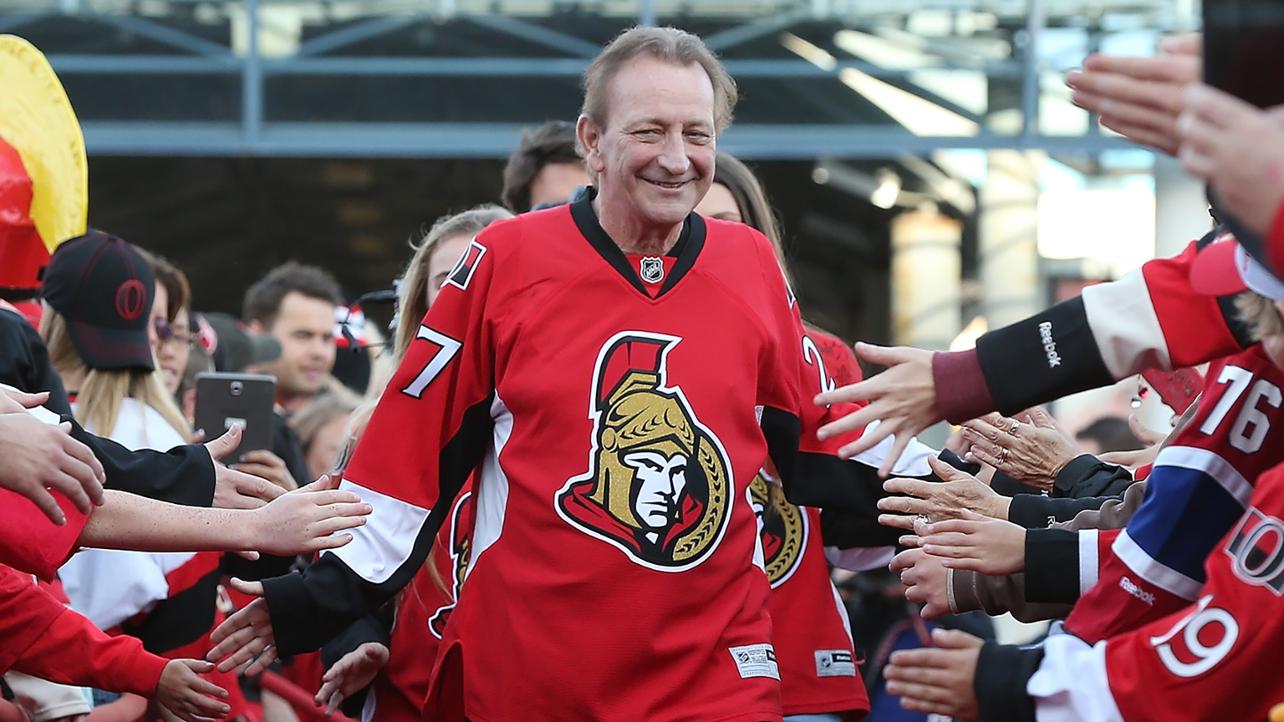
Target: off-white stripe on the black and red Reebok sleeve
{"points": [[1127, 330]]}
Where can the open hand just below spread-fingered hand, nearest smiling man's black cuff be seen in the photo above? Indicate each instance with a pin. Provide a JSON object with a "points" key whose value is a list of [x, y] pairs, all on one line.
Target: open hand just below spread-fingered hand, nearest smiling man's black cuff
{"points": [[950, 499]]}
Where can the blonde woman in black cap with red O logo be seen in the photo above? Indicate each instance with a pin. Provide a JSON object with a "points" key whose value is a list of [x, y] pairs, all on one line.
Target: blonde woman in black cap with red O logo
{"points": [[101, 299]]}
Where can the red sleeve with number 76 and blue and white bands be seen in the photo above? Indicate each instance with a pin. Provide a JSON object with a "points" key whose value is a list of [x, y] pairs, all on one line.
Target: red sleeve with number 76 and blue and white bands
{"points": [[1197, 490]]}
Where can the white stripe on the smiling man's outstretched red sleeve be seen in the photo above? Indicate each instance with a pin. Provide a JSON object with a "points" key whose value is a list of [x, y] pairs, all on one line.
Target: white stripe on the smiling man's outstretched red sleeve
{"points": [[379, 548]]}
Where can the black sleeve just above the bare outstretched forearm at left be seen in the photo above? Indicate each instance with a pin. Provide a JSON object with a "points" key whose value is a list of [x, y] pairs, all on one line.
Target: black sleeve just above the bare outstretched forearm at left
{"points": [[186, 475]]}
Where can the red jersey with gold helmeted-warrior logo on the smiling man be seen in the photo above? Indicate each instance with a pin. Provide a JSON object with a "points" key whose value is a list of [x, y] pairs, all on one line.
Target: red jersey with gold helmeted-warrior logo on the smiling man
{"points": [[616, 570]]}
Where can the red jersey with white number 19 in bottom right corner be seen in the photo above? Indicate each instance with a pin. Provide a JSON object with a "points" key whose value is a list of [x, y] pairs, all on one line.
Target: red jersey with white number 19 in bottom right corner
{"points": [[1210, 662]]}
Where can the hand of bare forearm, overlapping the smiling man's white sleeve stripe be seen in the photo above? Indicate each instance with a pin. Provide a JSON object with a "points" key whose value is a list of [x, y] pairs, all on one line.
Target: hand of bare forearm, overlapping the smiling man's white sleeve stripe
{"points": [[309, 520]]}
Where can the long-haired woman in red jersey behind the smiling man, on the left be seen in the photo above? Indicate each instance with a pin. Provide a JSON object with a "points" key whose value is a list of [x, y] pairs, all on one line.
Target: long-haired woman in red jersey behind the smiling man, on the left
{"points": [[397, 665]]}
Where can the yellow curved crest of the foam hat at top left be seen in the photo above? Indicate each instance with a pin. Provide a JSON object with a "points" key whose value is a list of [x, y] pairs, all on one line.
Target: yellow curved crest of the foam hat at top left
{"points": [[37, 119]]}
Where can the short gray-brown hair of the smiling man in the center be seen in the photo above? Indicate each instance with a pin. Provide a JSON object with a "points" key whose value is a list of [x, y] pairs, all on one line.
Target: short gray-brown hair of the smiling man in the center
{"points": [[668, 44]]}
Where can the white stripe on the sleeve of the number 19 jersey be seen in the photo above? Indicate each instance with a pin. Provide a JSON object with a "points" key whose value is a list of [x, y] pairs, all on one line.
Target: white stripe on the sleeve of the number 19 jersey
{"points": [[1071, 684]]}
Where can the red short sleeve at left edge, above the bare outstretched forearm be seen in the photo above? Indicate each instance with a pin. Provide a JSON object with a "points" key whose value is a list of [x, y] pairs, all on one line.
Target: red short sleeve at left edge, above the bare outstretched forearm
{"points": [[30, 541]]}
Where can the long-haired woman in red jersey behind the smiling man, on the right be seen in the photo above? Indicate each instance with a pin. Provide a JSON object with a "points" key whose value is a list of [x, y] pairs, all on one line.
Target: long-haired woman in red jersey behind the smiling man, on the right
{"points": [[820, 682]]}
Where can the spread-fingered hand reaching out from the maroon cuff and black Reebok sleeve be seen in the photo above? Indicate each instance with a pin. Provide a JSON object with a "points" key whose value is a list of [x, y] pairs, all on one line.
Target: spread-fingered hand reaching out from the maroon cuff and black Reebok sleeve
{"points": [[902, 399]]}
